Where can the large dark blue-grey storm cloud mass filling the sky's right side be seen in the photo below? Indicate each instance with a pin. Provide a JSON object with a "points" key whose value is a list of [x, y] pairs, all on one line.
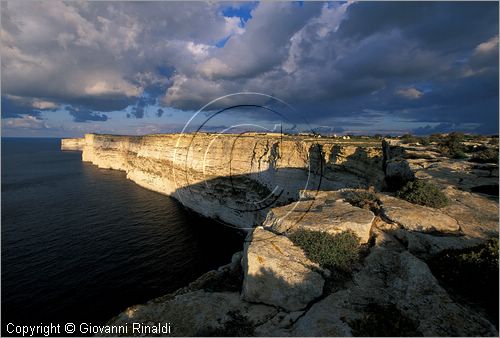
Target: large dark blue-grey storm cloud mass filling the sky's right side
{"points": [[411, 61]]}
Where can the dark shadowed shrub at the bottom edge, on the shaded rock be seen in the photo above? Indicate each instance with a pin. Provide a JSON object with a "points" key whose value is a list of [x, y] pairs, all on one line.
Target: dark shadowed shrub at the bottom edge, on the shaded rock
{"points": [[383, 321]]}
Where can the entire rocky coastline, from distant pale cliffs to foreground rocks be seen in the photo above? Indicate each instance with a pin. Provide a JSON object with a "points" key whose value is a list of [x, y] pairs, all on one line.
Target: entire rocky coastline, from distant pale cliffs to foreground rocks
{"points": [[273, 287]]}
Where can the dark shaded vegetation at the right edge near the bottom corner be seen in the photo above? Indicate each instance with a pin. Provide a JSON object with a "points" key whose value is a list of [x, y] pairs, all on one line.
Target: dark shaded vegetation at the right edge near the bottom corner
{"points": [[471, 275]]}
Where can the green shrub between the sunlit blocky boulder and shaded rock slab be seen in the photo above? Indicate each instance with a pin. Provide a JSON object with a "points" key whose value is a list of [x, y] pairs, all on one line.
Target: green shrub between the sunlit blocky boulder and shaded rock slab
{"points": [[334, 252]]}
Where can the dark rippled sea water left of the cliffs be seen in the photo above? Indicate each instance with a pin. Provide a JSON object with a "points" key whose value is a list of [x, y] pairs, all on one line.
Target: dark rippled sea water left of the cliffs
{"points": [[81, 244]]}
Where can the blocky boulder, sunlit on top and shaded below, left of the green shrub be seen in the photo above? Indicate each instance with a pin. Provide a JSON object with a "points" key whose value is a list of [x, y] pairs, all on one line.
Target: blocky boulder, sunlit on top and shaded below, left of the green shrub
{"points": [[278, 273]]}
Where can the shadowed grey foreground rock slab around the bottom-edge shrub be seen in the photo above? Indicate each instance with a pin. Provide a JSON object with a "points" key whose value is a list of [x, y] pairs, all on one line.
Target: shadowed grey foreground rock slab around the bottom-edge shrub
{"points": [[400, 279]]}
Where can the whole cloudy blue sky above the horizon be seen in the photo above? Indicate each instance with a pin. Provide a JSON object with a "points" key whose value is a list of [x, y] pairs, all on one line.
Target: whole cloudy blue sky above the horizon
{"points": [[70, 68]]}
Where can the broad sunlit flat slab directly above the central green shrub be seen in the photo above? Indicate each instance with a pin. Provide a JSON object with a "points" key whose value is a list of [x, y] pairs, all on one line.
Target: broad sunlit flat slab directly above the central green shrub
{"points": [[325, 214]]}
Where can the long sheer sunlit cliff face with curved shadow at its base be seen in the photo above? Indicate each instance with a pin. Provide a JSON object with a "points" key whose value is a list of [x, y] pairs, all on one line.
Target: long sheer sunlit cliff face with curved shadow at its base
{"points": [[235, 178]]}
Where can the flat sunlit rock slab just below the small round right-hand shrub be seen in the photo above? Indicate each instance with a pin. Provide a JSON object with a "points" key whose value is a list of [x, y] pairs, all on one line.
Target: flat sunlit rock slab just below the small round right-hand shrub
{"points": [[416, 217]]}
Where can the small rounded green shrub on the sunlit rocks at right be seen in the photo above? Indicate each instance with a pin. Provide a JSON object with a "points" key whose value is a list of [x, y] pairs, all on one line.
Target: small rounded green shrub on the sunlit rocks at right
{"points": [[423, 193]]}
